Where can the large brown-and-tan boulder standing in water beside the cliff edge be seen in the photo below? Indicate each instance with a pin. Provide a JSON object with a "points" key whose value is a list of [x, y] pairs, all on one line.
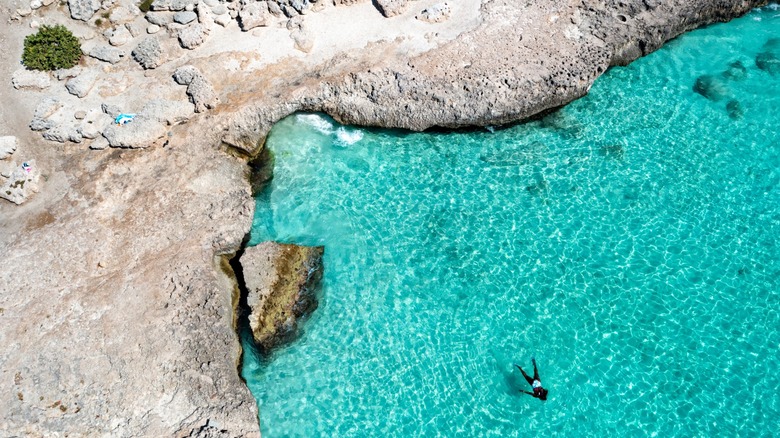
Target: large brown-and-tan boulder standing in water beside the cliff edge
{"points": [[281, 281]]}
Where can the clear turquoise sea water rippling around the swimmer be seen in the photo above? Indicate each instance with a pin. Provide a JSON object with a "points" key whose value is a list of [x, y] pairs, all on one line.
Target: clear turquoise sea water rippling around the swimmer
{"points": [[628, 242]]}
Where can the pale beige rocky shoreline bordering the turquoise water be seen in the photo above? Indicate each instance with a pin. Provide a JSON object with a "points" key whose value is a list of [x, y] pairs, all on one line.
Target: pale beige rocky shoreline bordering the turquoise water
{"points": [[116, 316]]}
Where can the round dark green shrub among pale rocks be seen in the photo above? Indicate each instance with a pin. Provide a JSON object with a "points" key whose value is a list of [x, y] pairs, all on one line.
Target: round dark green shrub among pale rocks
{"points": [[52, 48]]}
